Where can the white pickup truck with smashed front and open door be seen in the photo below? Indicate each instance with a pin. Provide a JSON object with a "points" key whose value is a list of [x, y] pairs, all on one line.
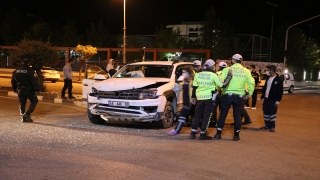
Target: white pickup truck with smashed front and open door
{"points": [[138, 92]]}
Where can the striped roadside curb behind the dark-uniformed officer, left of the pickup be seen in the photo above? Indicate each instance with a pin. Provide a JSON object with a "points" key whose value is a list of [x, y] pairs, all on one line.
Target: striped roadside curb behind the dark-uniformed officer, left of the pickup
{"points": [[77, 103]]}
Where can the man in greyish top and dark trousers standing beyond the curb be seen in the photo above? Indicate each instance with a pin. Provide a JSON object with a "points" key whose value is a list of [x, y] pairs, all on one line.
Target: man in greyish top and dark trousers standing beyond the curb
{"points": [[67, 76]]}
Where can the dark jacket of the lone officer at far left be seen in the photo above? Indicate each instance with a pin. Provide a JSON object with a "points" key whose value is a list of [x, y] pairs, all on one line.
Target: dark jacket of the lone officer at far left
{"points": [[25, 78]]}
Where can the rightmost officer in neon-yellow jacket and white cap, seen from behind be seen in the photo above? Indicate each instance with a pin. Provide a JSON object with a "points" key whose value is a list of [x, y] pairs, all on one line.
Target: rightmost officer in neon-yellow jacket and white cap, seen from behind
{"points": [[233, 94]]}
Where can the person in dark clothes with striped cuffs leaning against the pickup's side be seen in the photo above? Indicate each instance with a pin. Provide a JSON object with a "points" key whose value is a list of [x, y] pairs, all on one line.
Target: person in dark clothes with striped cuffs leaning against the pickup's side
{"points": [[186, 78]]}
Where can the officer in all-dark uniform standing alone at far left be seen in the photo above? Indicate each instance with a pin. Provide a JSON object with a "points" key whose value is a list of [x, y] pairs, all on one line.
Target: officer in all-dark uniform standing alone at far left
{"points": [[25, 83]]}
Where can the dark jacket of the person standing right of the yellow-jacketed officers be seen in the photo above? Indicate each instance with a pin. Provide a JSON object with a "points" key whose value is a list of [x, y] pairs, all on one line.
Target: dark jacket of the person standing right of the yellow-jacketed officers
{"points": [[276, 89]]}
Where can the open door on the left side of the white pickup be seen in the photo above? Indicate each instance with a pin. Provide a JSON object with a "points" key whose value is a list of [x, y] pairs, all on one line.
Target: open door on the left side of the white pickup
{"points": [[93, 73]]}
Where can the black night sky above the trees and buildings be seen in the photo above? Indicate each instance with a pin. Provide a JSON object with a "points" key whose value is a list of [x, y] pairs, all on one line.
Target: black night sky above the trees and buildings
{"points": [[143, 16]]}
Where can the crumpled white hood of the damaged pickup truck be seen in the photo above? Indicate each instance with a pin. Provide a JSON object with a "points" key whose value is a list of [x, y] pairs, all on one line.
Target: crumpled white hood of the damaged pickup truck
{"points": [[117, 84]]}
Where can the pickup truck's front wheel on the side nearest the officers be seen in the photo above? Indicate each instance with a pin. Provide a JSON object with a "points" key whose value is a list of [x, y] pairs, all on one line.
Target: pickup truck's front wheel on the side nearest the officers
{"points": [[168, 119]]}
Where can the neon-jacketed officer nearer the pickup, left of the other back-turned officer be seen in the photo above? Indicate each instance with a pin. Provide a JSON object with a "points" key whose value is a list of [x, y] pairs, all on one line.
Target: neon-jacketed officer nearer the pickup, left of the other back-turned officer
{"points": [[204, 89]]}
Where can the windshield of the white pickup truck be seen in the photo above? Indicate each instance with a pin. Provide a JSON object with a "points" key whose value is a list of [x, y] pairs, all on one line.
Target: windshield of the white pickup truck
{"points": [[144, 71]]}
